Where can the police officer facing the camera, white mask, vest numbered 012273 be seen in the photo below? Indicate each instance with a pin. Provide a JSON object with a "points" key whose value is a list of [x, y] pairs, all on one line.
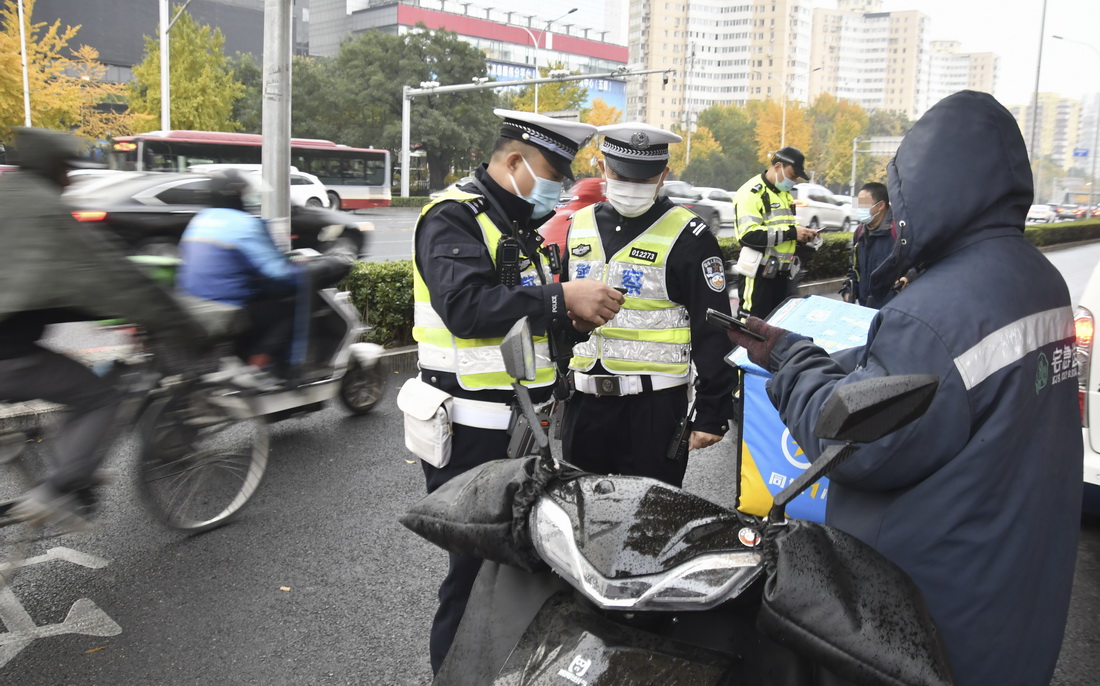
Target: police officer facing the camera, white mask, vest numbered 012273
{"points": [[632, 375]]}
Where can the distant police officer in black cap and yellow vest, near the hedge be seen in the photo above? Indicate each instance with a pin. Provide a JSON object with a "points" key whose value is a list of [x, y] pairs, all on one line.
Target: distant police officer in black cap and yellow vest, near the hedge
{"points": [[768, 233]]}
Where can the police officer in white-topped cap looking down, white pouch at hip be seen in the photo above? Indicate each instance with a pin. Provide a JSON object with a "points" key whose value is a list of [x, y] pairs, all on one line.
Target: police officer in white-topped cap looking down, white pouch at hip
{"points": [[480, 268]]}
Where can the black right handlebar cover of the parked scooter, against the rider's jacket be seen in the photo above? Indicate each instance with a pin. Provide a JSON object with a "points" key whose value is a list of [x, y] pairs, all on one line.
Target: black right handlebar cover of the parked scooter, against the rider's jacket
{"points": [[832, 599]]}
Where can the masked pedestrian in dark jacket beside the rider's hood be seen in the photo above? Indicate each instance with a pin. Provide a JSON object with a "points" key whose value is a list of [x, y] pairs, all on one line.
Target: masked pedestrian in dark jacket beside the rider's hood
{"points": [[872, 246]]}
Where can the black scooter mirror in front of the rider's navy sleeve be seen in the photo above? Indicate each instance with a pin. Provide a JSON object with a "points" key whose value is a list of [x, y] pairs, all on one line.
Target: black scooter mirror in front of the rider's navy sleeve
{"points": [[867, 411]]}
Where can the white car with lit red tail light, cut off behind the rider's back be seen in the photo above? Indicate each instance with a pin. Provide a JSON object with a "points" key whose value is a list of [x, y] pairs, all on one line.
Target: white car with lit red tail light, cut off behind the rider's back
{"points": [[1088, 389]]}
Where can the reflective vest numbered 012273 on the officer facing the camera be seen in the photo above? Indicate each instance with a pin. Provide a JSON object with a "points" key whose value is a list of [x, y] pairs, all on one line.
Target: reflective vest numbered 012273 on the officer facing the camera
{"points": [[651, 335]]}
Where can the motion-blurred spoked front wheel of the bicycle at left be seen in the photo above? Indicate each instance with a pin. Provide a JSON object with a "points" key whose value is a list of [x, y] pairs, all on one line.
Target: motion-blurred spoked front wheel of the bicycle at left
{"points": [[201, 461]]}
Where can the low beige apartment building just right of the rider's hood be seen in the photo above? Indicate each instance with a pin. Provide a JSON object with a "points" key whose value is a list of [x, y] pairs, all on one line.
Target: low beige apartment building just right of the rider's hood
{"points": [[1052, 128]]}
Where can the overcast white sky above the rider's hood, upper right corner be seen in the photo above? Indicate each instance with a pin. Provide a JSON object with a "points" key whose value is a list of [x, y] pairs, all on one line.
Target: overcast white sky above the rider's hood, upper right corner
{"points": [[1011, 29]]}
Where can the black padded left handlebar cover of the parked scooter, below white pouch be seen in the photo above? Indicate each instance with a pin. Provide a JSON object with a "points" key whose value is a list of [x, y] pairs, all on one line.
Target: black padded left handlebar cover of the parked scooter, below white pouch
{"points": [[483, 512]]}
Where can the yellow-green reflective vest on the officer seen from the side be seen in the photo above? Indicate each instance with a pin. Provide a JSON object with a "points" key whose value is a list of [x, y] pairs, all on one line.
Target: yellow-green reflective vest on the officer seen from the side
{"points": [[477, 362]]}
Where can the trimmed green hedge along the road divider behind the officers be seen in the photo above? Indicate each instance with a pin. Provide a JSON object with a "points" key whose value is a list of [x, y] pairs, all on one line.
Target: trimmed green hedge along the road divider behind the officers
{"points": [[384, 291]]}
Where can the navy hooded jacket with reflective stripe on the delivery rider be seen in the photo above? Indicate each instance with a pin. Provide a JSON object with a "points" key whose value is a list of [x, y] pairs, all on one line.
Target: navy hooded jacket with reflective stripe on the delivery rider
{"points": [[978, 501]]}
